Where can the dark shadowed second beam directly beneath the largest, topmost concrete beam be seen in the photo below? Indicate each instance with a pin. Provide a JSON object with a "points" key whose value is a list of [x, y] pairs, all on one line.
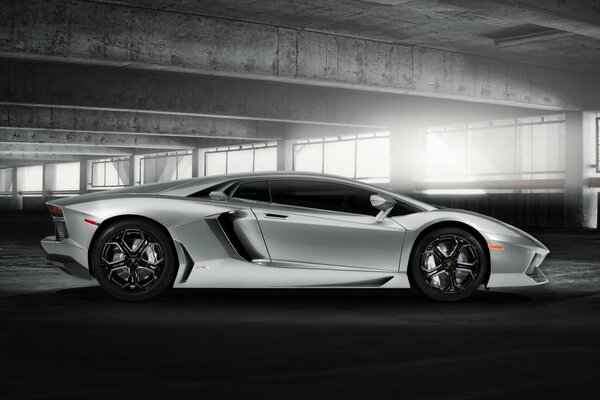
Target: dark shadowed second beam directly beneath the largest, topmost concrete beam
{"points": [[88, 87]]}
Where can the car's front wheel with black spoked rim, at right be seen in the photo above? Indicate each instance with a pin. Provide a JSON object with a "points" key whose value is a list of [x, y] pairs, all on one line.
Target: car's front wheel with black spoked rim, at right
{"points": [[448, 264]]}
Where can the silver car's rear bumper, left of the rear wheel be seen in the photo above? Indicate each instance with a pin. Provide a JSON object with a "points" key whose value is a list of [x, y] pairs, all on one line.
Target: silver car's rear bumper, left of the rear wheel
{"points": [[67, 255]]}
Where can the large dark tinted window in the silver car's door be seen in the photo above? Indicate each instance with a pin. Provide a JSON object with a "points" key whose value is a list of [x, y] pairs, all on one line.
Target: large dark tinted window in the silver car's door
{"points": [[322, 195]]}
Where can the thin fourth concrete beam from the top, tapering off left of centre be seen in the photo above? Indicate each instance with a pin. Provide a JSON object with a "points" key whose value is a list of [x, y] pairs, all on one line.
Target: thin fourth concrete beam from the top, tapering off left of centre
{"points": [[49, 136]]}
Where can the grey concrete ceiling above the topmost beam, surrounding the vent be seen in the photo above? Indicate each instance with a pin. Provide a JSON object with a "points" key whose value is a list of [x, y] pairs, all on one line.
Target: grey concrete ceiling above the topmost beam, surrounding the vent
{"points": [[457, 25]]}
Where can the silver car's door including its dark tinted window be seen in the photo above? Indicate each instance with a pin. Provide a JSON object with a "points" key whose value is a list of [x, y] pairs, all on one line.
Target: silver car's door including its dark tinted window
{"points": [[327, 225]]}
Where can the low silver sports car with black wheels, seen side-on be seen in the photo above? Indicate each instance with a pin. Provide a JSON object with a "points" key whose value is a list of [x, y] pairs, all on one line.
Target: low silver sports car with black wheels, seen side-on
{"points": [[292, 230]]}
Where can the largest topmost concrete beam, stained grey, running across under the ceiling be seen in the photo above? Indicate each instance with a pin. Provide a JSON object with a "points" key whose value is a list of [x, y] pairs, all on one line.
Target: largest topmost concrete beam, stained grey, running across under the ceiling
{"points": [[129, 37]]}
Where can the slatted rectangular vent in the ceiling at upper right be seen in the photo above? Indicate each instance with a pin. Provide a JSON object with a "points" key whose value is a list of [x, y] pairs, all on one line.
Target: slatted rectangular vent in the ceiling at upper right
{"points": [[523, 35]]}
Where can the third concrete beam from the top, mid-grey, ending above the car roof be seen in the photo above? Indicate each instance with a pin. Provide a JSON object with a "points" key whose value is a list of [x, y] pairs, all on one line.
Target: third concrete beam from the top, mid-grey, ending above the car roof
{"points": [[102, 120]]}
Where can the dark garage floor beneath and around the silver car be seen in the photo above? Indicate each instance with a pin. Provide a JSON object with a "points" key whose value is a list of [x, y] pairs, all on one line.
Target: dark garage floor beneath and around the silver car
{"points": [[64, 338]]}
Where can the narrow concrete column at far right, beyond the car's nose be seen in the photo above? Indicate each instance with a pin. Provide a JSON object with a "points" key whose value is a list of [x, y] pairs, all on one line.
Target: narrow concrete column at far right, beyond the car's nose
{"points": [[574, 179]]}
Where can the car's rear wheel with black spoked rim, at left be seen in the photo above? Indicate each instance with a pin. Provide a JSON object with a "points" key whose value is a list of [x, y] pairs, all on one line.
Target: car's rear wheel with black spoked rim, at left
{"points": [[133, 260]]}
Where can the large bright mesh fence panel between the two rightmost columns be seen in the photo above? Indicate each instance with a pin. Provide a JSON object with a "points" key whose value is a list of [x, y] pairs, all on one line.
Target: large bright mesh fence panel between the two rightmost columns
{"points": [[532, 146]]}
